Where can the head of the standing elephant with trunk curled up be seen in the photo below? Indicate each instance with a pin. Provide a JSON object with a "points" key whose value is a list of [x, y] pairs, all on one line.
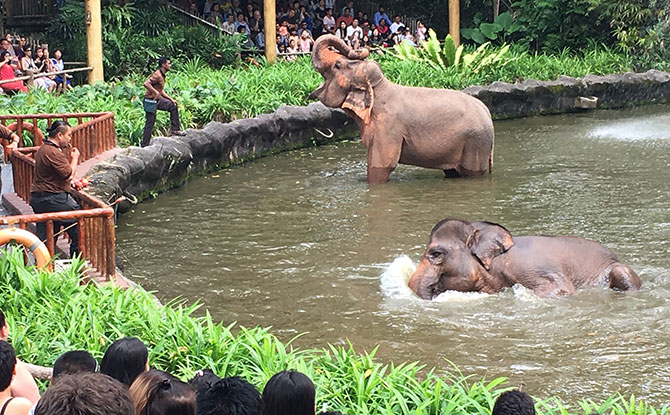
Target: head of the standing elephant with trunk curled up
{"points": [[349, 79]]}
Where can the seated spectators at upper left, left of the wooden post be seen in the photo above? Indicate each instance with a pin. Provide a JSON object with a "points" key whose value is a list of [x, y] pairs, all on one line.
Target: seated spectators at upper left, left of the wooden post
{"points": [[17, 59]]}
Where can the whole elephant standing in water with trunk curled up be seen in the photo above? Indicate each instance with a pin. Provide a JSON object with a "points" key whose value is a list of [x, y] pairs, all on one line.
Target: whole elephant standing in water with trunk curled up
{"points": [[433, 128]]}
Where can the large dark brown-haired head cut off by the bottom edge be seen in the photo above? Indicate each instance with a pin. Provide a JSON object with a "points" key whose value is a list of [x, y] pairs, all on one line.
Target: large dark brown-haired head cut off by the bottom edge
{"points": [[85, 394]]}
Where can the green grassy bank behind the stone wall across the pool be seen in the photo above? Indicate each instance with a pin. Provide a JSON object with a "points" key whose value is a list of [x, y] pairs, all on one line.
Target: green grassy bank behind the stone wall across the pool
{"points": [[205, 94]]}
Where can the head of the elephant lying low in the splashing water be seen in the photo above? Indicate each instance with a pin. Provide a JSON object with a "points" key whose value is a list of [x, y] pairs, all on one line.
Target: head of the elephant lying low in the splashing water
{"points": [[458, 257]]}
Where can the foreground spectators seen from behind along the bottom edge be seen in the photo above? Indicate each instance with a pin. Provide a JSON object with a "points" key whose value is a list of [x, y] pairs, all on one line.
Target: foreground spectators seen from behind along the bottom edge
{"points": [[124, 384]]}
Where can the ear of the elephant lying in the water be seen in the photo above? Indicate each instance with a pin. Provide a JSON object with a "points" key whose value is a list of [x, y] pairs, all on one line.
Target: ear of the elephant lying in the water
{"points": [[489, 240]]}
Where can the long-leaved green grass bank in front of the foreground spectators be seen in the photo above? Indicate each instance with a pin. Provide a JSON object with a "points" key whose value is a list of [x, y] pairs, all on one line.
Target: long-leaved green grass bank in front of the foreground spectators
{"points": [[52, 313]]}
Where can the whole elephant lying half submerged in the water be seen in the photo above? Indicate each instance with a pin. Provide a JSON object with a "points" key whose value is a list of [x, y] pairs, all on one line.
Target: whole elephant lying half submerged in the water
{"points": [[485, 257]]}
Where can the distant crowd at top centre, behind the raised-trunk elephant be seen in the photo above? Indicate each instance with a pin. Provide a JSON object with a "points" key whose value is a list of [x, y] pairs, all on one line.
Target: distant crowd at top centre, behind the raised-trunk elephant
{"points": [[299, 23]]}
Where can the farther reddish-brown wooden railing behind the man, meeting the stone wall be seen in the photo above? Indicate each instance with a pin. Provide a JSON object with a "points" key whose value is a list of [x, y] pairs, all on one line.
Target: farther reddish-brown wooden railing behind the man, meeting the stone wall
{"points": [[93, 133]]}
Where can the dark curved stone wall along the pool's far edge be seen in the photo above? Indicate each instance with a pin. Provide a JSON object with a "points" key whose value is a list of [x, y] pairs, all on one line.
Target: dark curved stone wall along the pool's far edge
{"points": [[170, 162]]}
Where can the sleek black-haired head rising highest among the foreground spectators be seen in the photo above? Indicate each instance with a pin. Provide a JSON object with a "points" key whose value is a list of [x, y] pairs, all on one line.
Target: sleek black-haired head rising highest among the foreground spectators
{"points": [[125, 359]]}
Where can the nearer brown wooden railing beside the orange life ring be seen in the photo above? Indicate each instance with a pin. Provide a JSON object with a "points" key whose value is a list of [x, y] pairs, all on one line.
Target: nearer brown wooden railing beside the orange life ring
{"points": [[95, 220]]}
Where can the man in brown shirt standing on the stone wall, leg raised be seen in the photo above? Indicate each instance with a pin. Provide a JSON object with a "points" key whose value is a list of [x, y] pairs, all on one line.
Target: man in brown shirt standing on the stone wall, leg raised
{"points": [[156, 99]]}
